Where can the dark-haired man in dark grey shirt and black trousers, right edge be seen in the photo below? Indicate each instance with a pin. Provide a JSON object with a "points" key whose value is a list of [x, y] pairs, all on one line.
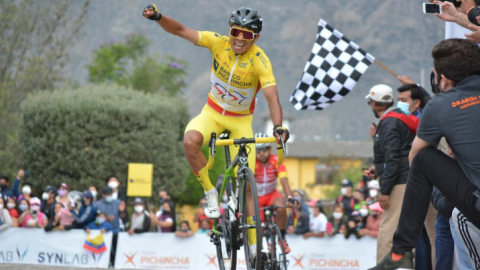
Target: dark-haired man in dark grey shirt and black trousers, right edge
{"points": [[455, 115]]}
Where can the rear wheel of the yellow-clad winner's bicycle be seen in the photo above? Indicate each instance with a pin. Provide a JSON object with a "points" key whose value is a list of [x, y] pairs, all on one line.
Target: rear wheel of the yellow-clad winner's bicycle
{"points": [[226, 253]]}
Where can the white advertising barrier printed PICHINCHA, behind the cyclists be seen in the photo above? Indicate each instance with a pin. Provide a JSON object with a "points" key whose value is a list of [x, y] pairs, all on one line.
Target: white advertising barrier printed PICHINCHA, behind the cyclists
{"points": [[166, 251]]}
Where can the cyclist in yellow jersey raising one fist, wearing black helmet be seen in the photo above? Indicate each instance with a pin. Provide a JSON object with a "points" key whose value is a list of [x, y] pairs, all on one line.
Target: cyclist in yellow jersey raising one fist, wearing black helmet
{"points": [[239, 70]]}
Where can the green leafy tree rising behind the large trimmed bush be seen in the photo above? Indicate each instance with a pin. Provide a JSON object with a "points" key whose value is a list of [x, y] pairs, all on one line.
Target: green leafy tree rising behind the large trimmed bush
{"points": [[128, 64]]}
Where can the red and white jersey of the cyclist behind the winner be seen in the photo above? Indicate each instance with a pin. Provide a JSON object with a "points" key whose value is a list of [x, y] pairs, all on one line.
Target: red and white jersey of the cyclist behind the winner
{"points": [[266, 175]]}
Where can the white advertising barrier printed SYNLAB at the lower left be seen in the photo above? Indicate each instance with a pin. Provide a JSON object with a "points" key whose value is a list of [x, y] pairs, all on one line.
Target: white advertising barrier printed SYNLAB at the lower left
{"points": [[60, 248]]}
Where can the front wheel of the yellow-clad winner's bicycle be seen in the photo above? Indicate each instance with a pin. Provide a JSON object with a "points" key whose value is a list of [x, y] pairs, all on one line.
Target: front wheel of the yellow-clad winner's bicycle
{"points": [[247, 181]]}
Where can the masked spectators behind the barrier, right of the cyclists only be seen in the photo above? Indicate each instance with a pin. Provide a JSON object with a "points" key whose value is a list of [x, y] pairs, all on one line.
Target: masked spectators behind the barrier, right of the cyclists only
{"points": [[354, 213]]}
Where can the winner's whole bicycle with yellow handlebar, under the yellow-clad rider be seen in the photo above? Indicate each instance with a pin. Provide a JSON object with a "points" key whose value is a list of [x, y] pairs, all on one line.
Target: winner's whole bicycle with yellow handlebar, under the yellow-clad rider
{"points": [[230, 231]]}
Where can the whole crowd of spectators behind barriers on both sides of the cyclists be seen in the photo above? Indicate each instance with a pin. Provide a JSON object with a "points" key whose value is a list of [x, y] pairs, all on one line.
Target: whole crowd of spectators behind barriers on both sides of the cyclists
{"points": [[105, 208]]}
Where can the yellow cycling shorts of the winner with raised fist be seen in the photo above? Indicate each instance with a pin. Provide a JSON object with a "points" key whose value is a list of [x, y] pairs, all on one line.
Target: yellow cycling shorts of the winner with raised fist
{"points": [[209, 121]]}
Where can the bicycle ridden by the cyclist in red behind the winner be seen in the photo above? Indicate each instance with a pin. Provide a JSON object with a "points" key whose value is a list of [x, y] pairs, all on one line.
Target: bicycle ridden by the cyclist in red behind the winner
{"points": [[271, 233]]}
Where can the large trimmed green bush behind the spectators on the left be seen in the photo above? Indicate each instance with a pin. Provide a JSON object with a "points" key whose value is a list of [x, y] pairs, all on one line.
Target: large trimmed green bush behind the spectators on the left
{"points": [[83, 136]]}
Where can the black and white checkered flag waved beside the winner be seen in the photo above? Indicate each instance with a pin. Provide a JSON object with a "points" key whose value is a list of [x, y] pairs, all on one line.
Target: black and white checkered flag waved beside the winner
{"points": [[334, 67]]}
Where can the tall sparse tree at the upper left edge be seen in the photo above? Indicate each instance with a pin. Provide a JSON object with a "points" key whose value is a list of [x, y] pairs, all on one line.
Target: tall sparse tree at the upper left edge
{"points": [[35, 37]]}
